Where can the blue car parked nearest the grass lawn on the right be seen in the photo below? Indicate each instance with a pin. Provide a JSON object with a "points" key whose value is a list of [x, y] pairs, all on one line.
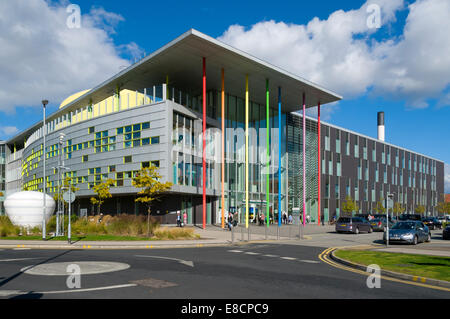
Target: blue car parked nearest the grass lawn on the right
{"points": [[411, 232]]}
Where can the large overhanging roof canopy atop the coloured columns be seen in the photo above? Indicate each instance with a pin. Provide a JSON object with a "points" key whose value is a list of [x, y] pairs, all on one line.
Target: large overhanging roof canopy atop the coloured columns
{"points": [[180, 61]]}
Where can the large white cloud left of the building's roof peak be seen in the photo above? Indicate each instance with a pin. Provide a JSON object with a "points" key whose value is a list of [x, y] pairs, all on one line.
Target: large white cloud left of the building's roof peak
{"points": [[41, 57]]}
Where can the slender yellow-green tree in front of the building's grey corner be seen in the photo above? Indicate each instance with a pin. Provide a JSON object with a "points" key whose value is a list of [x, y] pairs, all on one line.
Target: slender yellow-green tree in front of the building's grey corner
{"points": [[148, 180]]}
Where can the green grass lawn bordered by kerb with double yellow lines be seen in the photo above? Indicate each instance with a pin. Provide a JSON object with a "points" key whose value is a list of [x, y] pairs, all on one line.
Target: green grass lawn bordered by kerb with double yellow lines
{"points": [[416, 265]]}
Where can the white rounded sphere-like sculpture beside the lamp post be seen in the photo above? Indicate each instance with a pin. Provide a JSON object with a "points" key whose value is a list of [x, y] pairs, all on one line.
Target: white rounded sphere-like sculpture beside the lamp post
{"points": [[25, 209]]}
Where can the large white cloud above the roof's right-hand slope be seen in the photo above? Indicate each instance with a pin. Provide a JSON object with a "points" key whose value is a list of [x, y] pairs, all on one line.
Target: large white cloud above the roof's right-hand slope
{"points": [[342, 54]]}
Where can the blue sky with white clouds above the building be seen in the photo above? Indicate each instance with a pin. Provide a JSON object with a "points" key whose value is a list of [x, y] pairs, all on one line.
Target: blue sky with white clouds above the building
{"points": [[384, 71]]}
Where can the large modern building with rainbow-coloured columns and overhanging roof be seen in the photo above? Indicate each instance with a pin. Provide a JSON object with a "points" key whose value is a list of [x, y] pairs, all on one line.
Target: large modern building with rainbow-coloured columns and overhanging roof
{"points": [[223, 127]]}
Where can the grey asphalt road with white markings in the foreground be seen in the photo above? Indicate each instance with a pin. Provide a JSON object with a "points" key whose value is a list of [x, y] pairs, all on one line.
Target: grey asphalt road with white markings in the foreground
{"points": [[252, 271]]}
